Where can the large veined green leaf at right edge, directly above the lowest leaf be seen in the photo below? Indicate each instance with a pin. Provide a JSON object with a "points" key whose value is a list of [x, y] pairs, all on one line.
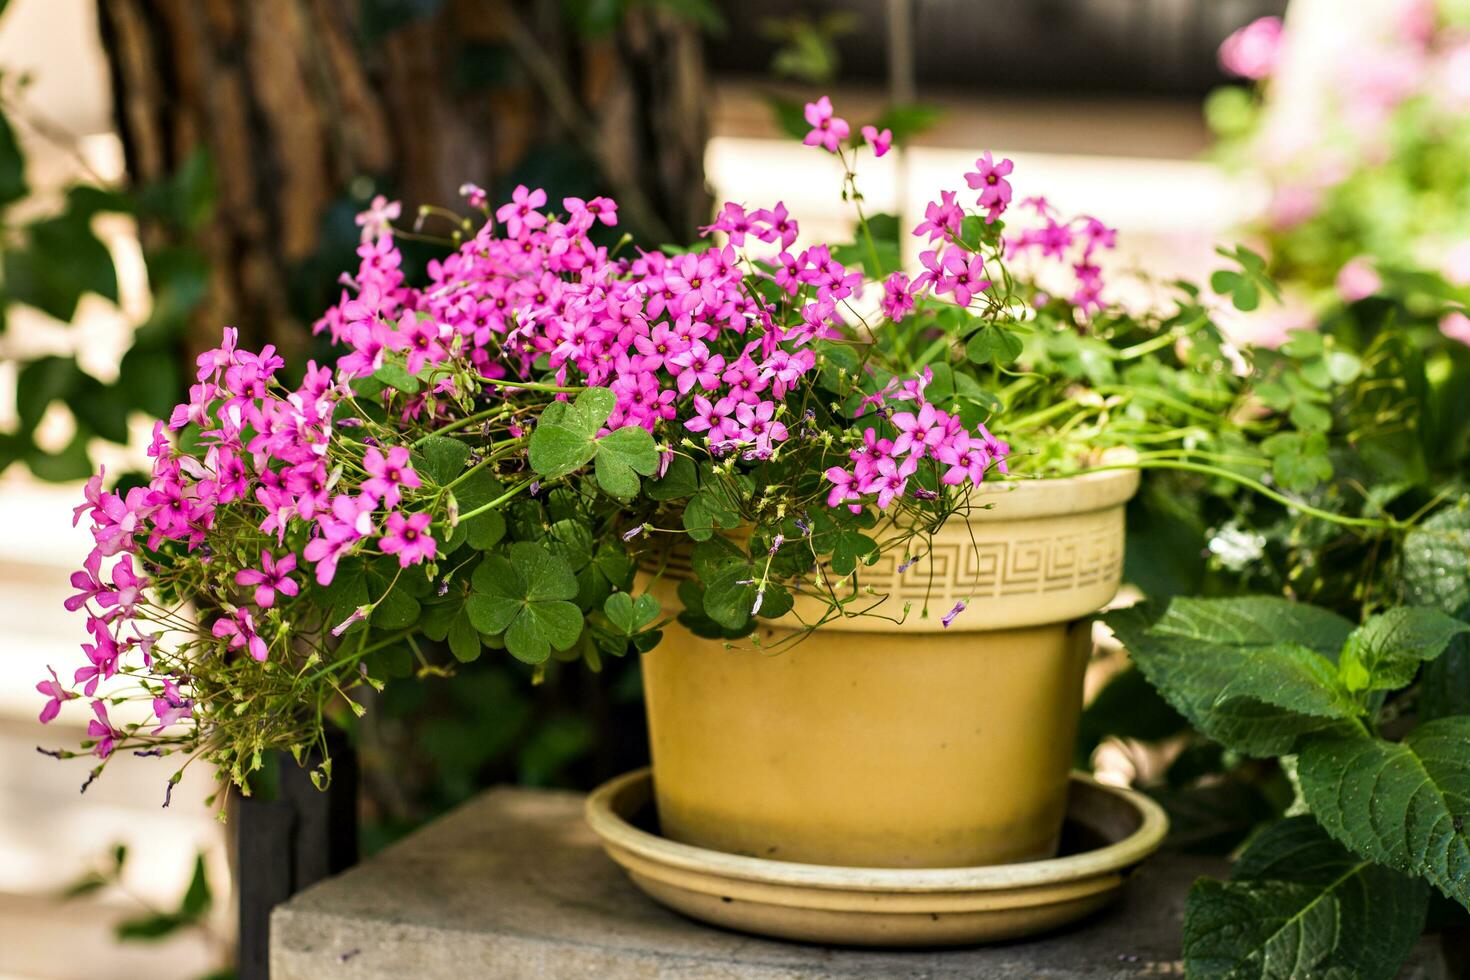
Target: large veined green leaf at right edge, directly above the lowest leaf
{"points": [[1403, 804]]}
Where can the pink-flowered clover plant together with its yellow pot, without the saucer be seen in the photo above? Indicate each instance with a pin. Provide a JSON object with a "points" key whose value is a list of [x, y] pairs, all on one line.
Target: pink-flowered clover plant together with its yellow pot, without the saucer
{"points": [[568, 450]]}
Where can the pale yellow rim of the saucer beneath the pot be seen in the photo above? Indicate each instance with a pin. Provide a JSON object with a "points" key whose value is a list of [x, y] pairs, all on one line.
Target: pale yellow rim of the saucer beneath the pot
{"points": [[617, 832]]}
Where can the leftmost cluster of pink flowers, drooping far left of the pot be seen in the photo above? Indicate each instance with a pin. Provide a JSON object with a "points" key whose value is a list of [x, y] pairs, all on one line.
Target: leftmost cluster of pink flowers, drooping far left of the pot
{"points": [[259, 453]]}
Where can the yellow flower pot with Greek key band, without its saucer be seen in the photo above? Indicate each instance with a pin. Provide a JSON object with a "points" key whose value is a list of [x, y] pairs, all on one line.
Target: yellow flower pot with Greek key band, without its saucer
{"points": [[878, 744]]}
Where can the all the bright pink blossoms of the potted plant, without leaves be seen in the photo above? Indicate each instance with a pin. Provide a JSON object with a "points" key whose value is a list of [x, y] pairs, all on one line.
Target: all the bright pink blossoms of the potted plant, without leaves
{"points": [[687, 345]]}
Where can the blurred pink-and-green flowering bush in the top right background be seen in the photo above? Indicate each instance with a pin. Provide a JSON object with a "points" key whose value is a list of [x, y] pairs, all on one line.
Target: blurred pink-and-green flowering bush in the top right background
{"points": [[1372, 180]]}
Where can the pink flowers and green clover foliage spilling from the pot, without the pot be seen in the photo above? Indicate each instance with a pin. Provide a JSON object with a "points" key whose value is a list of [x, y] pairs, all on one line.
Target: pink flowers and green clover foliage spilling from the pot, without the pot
{"points": [[502, 447]]}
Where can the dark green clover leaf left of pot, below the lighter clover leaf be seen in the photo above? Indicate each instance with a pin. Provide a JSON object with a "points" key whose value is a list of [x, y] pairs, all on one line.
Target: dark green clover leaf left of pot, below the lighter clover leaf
{"points": [[527, 597]]}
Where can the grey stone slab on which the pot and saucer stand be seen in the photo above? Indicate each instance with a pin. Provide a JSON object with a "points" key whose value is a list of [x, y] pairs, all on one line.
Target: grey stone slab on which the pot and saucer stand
{"points": [[514, 885]]}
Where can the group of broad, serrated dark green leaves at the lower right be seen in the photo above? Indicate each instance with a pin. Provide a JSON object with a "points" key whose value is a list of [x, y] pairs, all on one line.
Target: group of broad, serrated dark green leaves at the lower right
{"points": [[1265, 678]]}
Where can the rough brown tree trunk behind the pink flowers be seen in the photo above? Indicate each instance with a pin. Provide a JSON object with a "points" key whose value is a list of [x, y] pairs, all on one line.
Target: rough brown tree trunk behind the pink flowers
{"points": [[309, 107]]}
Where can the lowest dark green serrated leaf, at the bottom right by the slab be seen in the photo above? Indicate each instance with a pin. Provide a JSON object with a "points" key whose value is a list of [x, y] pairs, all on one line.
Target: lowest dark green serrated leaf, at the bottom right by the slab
{"points": [[1300, 906]]}
